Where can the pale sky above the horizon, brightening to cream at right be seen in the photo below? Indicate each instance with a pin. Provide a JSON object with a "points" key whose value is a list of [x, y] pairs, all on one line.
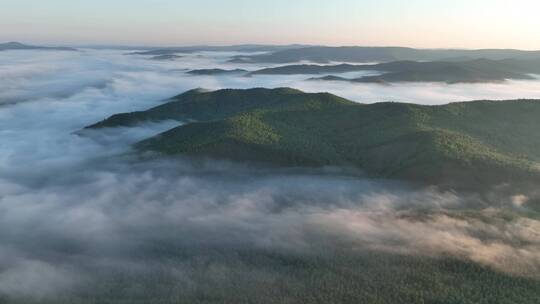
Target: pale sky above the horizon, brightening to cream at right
{"points": [[414, 23]]}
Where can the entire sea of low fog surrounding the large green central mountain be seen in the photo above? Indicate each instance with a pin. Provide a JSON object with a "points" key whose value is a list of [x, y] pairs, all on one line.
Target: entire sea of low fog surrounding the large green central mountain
{"points": [[70, 205]]}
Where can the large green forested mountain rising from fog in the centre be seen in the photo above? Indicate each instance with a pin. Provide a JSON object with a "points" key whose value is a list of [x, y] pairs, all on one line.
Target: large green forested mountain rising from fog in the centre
{"points": [[459, 144]]}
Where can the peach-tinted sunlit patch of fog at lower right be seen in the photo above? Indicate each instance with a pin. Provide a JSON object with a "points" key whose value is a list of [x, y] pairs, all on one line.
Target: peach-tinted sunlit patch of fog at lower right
{"points": [[507, 246]]}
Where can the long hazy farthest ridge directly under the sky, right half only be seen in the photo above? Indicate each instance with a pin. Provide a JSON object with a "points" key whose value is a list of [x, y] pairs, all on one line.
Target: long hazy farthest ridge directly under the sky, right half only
{"points": [[322, 54]]}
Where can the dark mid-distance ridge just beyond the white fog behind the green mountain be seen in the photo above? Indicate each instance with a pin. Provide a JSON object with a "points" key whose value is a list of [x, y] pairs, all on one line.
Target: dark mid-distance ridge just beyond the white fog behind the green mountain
{"points": [[479, 70]]}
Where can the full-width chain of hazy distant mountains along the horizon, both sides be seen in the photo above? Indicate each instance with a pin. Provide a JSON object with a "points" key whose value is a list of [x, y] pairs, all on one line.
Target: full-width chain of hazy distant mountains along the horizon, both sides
{"points": [[317, 54]]}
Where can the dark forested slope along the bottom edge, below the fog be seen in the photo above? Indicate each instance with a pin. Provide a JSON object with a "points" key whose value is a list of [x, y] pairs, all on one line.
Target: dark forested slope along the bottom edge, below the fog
{"points": [[224, 275]]}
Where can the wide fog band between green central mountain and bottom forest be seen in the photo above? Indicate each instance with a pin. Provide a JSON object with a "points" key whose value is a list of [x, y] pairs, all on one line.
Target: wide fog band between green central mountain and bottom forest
{"points": [[111, 215]]}
